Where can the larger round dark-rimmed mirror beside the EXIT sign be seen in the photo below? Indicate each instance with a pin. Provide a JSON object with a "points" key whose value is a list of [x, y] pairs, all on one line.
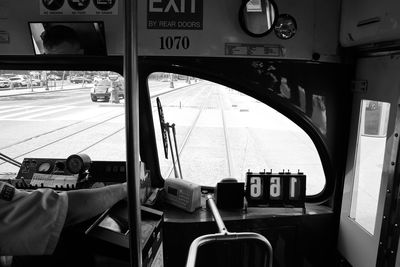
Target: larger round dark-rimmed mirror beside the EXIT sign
{"points": [[257, 17]]}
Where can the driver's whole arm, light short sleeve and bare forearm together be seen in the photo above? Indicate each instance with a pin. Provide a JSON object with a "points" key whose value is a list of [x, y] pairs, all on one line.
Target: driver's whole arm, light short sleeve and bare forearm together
{"points": [[31, 223]]}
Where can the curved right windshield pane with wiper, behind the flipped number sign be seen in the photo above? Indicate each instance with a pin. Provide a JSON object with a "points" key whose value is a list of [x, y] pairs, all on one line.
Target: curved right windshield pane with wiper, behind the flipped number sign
{"points": [[222, 133]]}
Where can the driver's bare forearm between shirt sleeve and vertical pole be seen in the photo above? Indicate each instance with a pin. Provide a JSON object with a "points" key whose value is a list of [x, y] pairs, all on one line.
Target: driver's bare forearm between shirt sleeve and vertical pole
{"points": [[86, 203]]}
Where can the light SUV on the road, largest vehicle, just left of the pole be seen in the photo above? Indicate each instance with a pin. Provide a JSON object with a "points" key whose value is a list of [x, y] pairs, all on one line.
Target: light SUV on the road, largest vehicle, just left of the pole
{"points": [[102, 90]]}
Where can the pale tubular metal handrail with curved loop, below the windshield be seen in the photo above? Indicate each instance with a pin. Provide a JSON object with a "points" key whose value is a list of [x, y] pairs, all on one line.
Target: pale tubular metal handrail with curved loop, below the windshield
{"points": [[224, 236]]}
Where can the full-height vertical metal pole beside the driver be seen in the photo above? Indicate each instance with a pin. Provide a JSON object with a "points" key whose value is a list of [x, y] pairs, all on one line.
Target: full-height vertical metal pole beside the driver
{"points": [[132, 130]]}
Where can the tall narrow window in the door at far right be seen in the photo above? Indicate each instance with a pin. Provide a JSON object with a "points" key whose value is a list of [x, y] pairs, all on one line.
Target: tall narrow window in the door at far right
{"points": [[371, 144]]}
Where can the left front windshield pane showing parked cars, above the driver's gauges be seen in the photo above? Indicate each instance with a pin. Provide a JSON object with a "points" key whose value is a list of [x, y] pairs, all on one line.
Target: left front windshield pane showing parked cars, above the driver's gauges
{"points": [[54, 114]]}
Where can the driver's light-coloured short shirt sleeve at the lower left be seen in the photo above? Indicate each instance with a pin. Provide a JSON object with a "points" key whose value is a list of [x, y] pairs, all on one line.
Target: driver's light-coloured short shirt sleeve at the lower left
{"points": [[30, 222]]}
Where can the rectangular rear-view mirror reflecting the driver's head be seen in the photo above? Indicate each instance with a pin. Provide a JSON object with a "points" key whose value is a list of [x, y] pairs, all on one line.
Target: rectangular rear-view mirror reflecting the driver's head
{"points": [[68, 38]]}
